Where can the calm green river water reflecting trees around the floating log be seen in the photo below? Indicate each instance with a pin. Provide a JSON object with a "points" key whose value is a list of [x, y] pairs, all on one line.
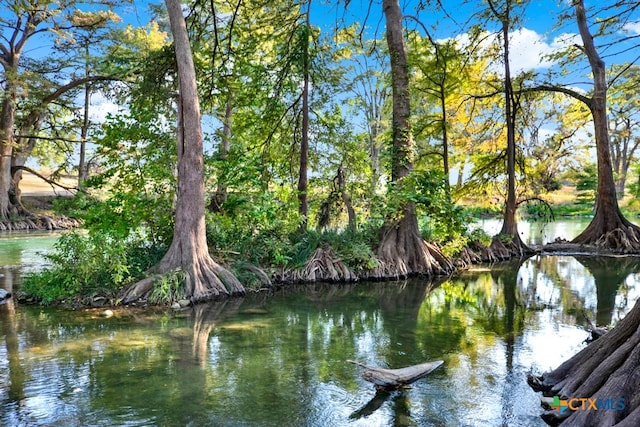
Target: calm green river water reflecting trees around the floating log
{"points": [[282, 359]]}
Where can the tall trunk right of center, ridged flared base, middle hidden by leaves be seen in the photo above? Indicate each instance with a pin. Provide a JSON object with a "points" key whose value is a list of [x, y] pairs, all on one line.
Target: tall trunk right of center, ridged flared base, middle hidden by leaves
{"points": [[402, 251]]}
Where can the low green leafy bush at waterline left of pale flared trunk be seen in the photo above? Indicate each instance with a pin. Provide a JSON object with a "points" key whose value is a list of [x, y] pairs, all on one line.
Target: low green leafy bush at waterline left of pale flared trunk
{"points": [[86, 265]]}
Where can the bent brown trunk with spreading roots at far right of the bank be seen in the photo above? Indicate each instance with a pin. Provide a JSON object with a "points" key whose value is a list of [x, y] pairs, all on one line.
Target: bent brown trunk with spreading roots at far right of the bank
{"points": [[609, 228]]}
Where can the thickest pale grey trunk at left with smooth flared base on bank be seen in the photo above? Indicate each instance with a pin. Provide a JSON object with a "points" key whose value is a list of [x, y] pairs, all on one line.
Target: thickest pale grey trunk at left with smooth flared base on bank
{"points": [[205, 279]]}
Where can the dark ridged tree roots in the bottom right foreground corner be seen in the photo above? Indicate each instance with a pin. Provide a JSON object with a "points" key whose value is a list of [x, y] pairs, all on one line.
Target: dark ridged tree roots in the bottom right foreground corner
{"points": [[608, 368]]}
